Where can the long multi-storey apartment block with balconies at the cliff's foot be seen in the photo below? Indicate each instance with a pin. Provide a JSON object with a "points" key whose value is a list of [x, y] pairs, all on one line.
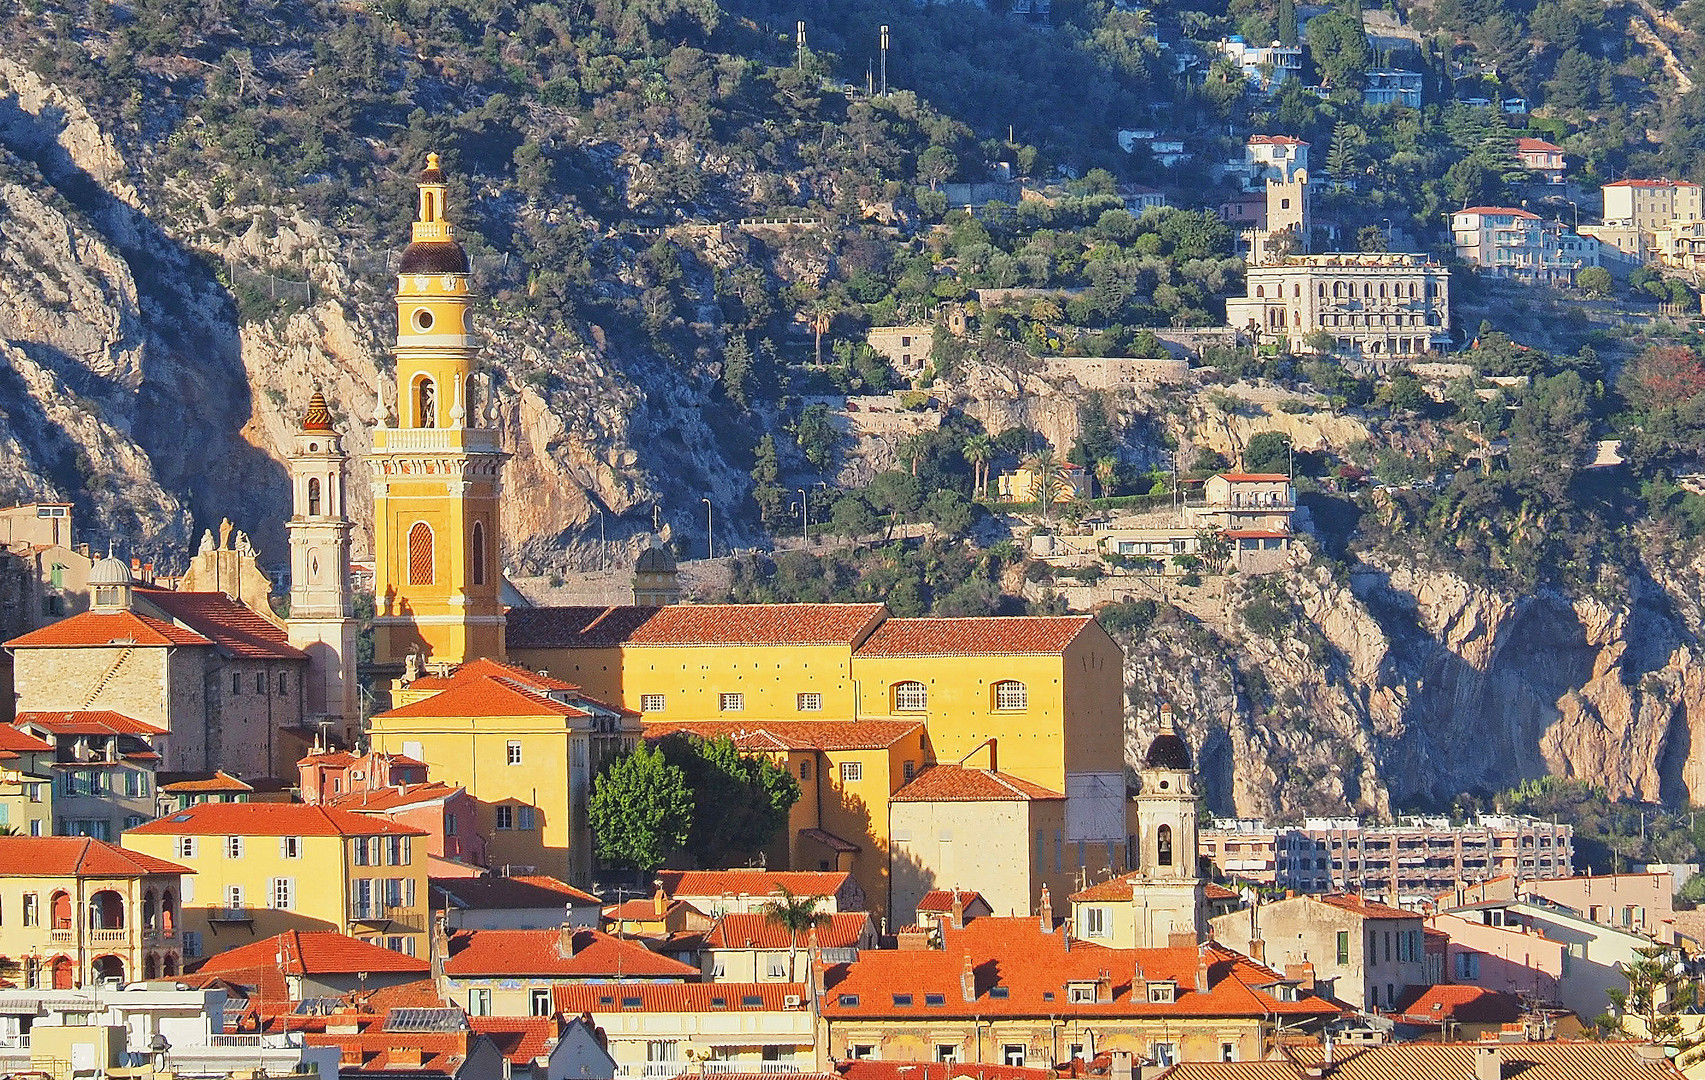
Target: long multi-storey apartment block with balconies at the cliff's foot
{"points": [[1414, 857]]}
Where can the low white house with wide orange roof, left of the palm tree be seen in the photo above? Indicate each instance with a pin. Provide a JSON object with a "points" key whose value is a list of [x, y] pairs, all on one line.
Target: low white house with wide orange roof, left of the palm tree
{"points": [[511, 973]]}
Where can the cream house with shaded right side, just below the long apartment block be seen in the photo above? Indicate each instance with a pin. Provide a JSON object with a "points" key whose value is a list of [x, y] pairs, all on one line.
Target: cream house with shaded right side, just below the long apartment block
{"points": [[1365, 953]]}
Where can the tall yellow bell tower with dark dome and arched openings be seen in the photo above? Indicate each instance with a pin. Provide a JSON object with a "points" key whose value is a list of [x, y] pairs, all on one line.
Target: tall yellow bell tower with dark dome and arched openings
{"points": [[436, 477]]}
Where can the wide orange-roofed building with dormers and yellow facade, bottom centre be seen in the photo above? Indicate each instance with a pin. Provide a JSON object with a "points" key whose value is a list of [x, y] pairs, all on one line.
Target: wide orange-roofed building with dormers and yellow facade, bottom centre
{"points": [[1005, 990]]}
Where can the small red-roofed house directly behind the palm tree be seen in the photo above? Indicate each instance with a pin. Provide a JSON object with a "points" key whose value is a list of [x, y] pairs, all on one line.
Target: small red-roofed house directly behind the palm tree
{"points": [[753, 948]]}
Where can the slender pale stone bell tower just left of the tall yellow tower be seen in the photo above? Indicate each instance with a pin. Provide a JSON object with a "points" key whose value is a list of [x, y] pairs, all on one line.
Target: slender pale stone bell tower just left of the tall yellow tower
{"points": [[321, 618]]}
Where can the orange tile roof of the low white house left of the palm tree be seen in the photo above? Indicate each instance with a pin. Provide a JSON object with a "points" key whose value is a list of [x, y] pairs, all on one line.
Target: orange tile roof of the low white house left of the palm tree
{"points": [[540, 953]]}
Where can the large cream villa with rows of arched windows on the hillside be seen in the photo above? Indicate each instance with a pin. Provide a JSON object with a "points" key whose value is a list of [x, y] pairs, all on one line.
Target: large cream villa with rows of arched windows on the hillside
{"points": [[1375, 306]]}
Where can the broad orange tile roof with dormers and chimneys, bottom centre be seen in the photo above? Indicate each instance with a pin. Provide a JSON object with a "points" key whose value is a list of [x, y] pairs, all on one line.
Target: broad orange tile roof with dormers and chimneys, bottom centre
{"points": [[1036, 972]]}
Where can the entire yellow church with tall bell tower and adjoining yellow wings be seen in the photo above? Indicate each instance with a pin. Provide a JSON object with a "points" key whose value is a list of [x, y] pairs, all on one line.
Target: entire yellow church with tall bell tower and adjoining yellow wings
{"points": [[855, 704]]}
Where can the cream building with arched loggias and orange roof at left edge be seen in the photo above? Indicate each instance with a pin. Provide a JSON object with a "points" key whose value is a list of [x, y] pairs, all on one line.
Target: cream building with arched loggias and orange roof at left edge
{"points": [[79, 912]]}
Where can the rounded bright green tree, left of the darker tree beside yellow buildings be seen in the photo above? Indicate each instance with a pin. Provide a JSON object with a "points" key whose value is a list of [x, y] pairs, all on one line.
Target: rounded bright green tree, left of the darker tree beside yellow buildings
{"points": [[640, 810]]}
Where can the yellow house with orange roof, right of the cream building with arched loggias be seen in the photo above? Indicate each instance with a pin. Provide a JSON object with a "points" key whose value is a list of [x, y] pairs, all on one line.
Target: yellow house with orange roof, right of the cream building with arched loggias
{"points": [[265, 868]]}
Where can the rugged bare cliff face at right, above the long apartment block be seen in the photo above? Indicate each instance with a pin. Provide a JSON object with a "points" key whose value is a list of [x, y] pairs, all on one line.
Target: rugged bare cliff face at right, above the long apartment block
{"points": [[1404, 687]]}
